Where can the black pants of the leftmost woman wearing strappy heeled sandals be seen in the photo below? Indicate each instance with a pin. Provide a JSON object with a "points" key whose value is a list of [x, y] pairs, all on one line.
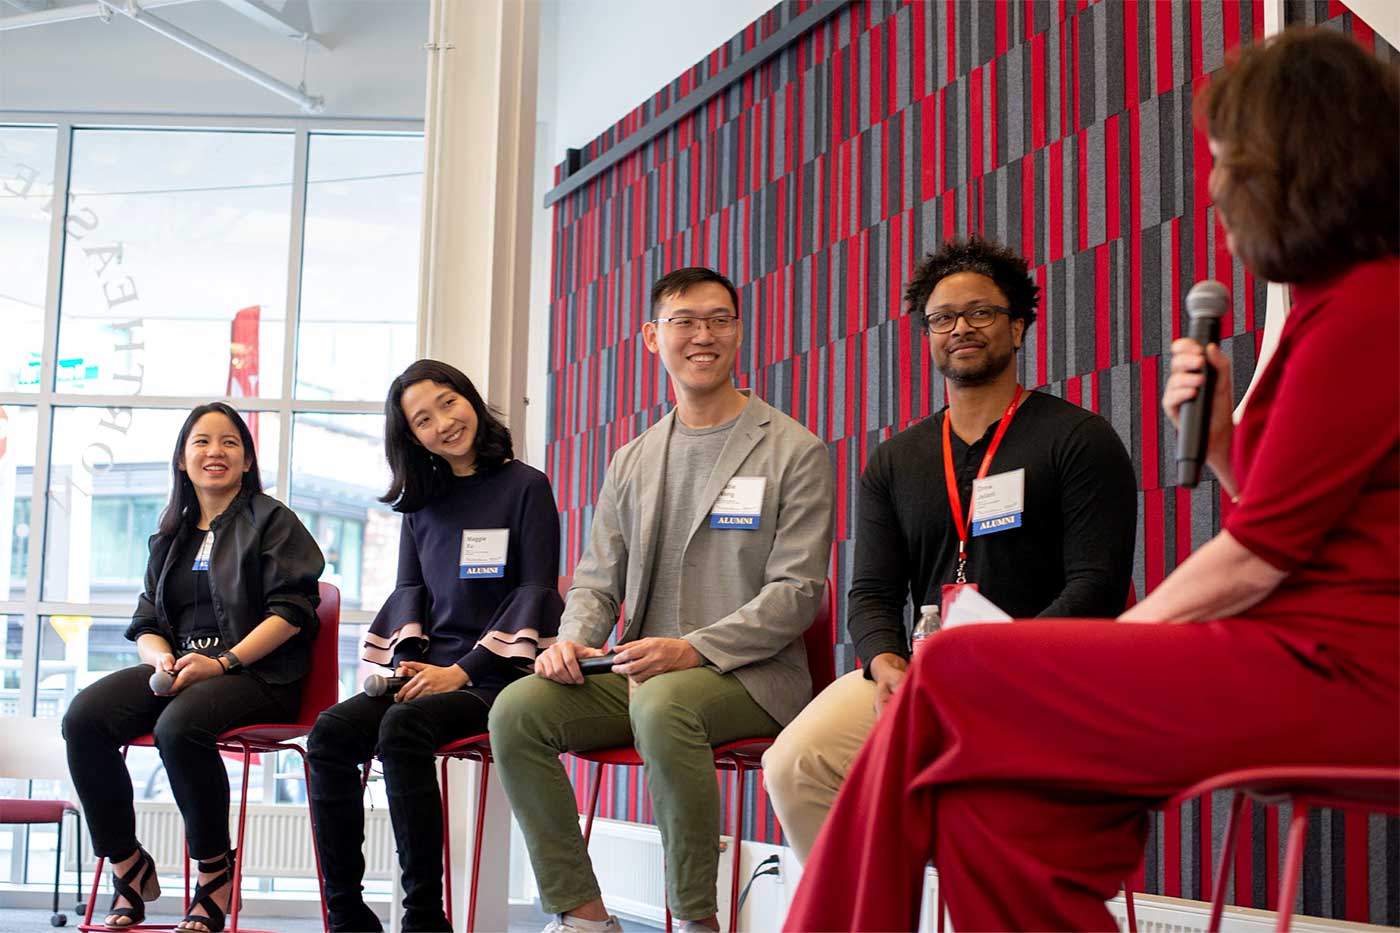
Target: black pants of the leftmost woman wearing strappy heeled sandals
{"points": [[121, 707]]}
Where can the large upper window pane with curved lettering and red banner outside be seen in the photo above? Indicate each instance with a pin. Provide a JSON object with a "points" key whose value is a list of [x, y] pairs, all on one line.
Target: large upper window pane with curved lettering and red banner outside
{"points": [[176, 264]]}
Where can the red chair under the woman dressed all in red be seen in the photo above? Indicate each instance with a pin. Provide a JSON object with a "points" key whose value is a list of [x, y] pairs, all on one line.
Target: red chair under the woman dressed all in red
{"points": [[1304, 787]]}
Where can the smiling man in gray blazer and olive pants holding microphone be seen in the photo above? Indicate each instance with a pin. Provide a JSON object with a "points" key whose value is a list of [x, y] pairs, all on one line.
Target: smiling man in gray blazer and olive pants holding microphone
{"points": [[712, 534]]}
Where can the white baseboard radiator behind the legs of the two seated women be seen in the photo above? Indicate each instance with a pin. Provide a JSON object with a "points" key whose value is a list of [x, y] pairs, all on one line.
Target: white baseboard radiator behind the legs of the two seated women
{"points": [[276, 841]]}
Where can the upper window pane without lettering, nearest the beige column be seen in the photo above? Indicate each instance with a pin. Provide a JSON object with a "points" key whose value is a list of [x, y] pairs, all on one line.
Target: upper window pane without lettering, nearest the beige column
{"points": [[360, 265]]}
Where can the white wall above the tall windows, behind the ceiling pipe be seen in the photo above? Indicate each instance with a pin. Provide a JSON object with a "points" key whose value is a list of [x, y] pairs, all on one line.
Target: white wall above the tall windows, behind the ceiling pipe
{"points": [[376, 67]]}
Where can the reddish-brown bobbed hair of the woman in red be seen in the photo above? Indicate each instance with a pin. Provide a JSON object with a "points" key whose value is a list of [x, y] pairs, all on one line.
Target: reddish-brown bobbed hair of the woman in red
{"points": [[1307, 166]]}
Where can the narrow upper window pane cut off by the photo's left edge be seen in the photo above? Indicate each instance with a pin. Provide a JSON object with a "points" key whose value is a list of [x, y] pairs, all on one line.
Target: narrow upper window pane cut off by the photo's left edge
{"points": [[26, 211]]}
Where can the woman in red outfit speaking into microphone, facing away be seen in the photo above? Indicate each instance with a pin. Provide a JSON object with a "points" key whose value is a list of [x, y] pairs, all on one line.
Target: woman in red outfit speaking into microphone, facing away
{"points": [[1024, 759]]}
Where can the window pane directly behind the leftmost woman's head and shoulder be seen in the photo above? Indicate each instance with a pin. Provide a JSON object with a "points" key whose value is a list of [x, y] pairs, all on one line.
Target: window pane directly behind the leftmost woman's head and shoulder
{"points": [[108, 483]]}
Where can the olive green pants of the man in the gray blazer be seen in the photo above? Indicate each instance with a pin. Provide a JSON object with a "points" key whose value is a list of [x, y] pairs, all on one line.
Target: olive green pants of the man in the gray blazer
{"points": [[673, 719]]}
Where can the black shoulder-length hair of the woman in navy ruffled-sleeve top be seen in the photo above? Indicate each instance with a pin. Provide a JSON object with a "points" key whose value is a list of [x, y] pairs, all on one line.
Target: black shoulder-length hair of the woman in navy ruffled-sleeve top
{"points": [[419, 477]]}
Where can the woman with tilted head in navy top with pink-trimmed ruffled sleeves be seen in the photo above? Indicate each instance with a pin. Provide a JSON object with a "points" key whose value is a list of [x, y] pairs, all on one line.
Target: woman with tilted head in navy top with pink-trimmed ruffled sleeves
{"points": [[477, 599]]}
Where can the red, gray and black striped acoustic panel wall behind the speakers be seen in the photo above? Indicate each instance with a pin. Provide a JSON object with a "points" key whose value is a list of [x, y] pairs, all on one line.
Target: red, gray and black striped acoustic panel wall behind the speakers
{"points": [[815, 183]]}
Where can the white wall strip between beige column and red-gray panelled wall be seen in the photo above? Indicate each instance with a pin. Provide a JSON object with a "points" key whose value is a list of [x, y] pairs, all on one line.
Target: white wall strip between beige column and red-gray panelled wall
{"points": [[598, 61]]}
